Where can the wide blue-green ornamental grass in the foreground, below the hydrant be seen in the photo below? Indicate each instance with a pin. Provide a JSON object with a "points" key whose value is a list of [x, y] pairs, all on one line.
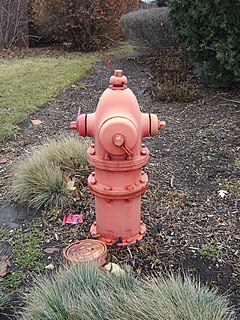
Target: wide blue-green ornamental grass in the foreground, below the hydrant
{"points": [[85, 293]]}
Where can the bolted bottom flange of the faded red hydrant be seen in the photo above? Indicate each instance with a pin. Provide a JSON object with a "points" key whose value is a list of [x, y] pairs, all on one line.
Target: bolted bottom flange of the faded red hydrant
{"points": [[119, 241]]}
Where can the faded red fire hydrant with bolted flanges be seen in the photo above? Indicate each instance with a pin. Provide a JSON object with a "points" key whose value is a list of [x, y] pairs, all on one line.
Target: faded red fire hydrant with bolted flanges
{"points": [[118, 156]]}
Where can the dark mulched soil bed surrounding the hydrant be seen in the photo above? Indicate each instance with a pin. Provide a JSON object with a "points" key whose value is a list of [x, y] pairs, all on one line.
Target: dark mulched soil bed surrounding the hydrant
{"points": [[190, 226]]}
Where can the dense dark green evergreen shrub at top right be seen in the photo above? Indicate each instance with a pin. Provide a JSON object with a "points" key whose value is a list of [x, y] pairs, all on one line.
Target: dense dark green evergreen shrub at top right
{"points": [[210, 32]]}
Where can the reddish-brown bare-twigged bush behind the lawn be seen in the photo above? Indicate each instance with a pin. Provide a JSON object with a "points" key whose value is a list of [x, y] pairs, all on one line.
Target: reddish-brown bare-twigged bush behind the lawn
{"points": [[84, 25]]}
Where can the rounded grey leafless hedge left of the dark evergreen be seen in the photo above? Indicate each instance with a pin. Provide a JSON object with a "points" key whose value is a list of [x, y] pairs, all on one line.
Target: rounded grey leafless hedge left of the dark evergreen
{"points": [[148, 28]]}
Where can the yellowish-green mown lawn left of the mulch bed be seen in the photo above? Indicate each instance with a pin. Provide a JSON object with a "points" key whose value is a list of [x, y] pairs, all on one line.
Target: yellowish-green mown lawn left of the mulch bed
{"points": [[28, 82]]}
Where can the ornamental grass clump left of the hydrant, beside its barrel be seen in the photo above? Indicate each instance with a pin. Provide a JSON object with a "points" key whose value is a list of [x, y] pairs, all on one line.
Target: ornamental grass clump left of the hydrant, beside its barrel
{"points": [[46, 176]]}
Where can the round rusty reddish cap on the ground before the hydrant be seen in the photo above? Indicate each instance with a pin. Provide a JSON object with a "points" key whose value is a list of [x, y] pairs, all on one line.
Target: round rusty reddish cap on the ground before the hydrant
{"points": [[86, 251]]}
